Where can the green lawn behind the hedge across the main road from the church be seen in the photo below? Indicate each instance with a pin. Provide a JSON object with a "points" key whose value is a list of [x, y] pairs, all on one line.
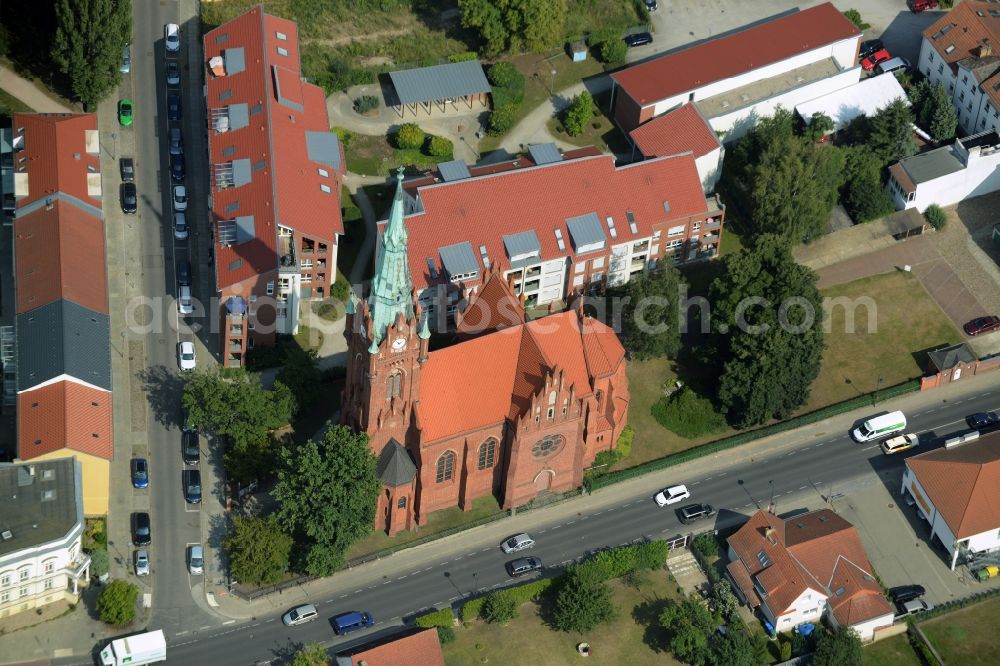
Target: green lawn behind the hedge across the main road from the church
{"points": [[634, 637]]}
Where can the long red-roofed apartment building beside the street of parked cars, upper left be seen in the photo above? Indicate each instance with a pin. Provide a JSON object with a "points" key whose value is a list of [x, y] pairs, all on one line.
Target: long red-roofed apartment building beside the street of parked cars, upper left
{"points": [[276, 176]]}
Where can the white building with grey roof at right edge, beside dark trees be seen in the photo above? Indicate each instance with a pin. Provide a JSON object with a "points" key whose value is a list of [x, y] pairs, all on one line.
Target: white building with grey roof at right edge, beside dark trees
{"points": [[949, 174]]}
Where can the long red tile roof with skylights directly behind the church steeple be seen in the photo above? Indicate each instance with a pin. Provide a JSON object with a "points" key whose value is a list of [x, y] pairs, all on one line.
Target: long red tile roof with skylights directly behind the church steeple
{"points": [[483, 210]]}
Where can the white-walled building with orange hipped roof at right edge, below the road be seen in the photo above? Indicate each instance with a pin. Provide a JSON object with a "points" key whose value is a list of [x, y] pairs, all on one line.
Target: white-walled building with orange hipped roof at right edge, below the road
{"points": [[955, 488]]}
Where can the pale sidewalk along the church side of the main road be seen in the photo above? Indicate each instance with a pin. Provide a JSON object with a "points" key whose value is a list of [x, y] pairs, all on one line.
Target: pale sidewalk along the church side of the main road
{"points": [[435, 552]]}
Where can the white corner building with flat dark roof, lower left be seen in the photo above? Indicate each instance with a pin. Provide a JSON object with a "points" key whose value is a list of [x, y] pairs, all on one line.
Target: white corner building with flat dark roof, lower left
{"points": [[41, 526]]}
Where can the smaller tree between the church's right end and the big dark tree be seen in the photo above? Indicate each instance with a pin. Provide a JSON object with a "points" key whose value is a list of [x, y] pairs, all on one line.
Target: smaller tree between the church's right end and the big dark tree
{"points": [[650, 312]]}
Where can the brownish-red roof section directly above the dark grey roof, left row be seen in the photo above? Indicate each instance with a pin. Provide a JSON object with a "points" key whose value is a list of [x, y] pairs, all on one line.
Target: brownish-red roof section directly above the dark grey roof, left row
{"points": [[60, 254]]}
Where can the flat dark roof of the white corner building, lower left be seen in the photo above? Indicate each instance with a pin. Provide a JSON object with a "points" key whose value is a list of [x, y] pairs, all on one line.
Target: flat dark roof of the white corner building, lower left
{"points": [[39, 508]]}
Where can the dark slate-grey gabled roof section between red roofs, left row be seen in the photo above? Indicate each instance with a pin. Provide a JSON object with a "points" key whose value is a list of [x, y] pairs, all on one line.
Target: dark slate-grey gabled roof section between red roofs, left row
{"points": [[63, 338]]}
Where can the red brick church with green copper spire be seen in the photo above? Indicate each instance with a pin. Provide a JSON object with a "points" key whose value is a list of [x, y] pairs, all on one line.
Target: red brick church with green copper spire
{"points": [[514, 407]]}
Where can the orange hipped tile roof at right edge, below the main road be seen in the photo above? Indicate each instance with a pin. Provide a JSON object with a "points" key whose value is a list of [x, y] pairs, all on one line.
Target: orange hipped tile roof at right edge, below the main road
{"points": [[962, 484]]}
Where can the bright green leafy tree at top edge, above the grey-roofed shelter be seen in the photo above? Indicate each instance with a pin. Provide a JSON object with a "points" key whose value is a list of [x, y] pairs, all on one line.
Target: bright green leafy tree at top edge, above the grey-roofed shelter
{"points": [[513, 25]]}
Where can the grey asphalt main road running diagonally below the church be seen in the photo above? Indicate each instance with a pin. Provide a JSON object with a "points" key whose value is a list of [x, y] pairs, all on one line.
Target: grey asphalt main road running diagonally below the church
{"points": [[829, 465]]}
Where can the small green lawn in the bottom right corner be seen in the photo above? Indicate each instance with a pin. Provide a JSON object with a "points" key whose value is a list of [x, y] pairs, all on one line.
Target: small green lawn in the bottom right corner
{"points": [[966, 636]]}
